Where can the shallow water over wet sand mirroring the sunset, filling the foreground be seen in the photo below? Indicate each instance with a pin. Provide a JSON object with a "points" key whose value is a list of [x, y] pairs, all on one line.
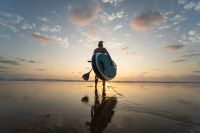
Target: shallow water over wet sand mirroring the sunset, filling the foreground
{"points": [[57, 107]]}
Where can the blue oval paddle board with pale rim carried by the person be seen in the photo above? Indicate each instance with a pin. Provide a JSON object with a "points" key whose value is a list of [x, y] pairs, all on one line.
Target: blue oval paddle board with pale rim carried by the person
{"points": [[104, 68]]}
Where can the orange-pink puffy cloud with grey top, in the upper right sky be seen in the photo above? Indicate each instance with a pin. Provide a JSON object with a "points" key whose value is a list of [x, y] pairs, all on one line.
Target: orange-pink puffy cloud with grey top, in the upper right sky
{"points": [[146, 20]]}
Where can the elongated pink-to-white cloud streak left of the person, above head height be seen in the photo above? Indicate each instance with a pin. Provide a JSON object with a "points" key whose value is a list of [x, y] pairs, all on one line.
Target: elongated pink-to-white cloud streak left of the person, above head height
{"points": [[42, 38]]}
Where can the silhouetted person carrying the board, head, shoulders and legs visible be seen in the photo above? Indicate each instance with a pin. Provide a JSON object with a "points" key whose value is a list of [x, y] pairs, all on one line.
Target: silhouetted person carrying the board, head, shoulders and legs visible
{"points": [[103, 50]]}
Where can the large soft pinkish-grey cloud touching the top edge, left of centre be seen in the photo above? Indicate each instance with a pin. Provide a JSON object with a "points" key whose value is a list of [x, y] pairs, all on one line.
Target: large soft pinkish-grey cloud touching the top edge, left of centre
{"points": [[84, 13]]}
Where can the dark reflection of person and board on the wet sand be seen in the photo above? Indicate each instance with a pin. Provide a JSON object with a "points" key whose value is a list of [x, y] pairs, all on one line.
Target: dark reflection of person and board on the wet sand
{"points": [[101, 112]]}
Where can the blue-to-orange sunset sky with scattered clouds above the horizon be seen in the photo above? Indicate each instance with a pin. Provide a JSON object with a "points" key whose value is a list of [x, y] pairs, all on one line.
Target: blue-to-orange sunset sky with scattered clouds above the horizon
{"points": [[156, 40]]}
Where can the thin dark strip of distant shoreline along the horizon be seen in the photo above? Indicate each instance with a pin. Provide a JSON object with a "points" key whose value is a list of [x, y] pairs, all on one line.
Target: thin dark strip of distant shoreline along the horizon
{"points": [[63, 80]]}
